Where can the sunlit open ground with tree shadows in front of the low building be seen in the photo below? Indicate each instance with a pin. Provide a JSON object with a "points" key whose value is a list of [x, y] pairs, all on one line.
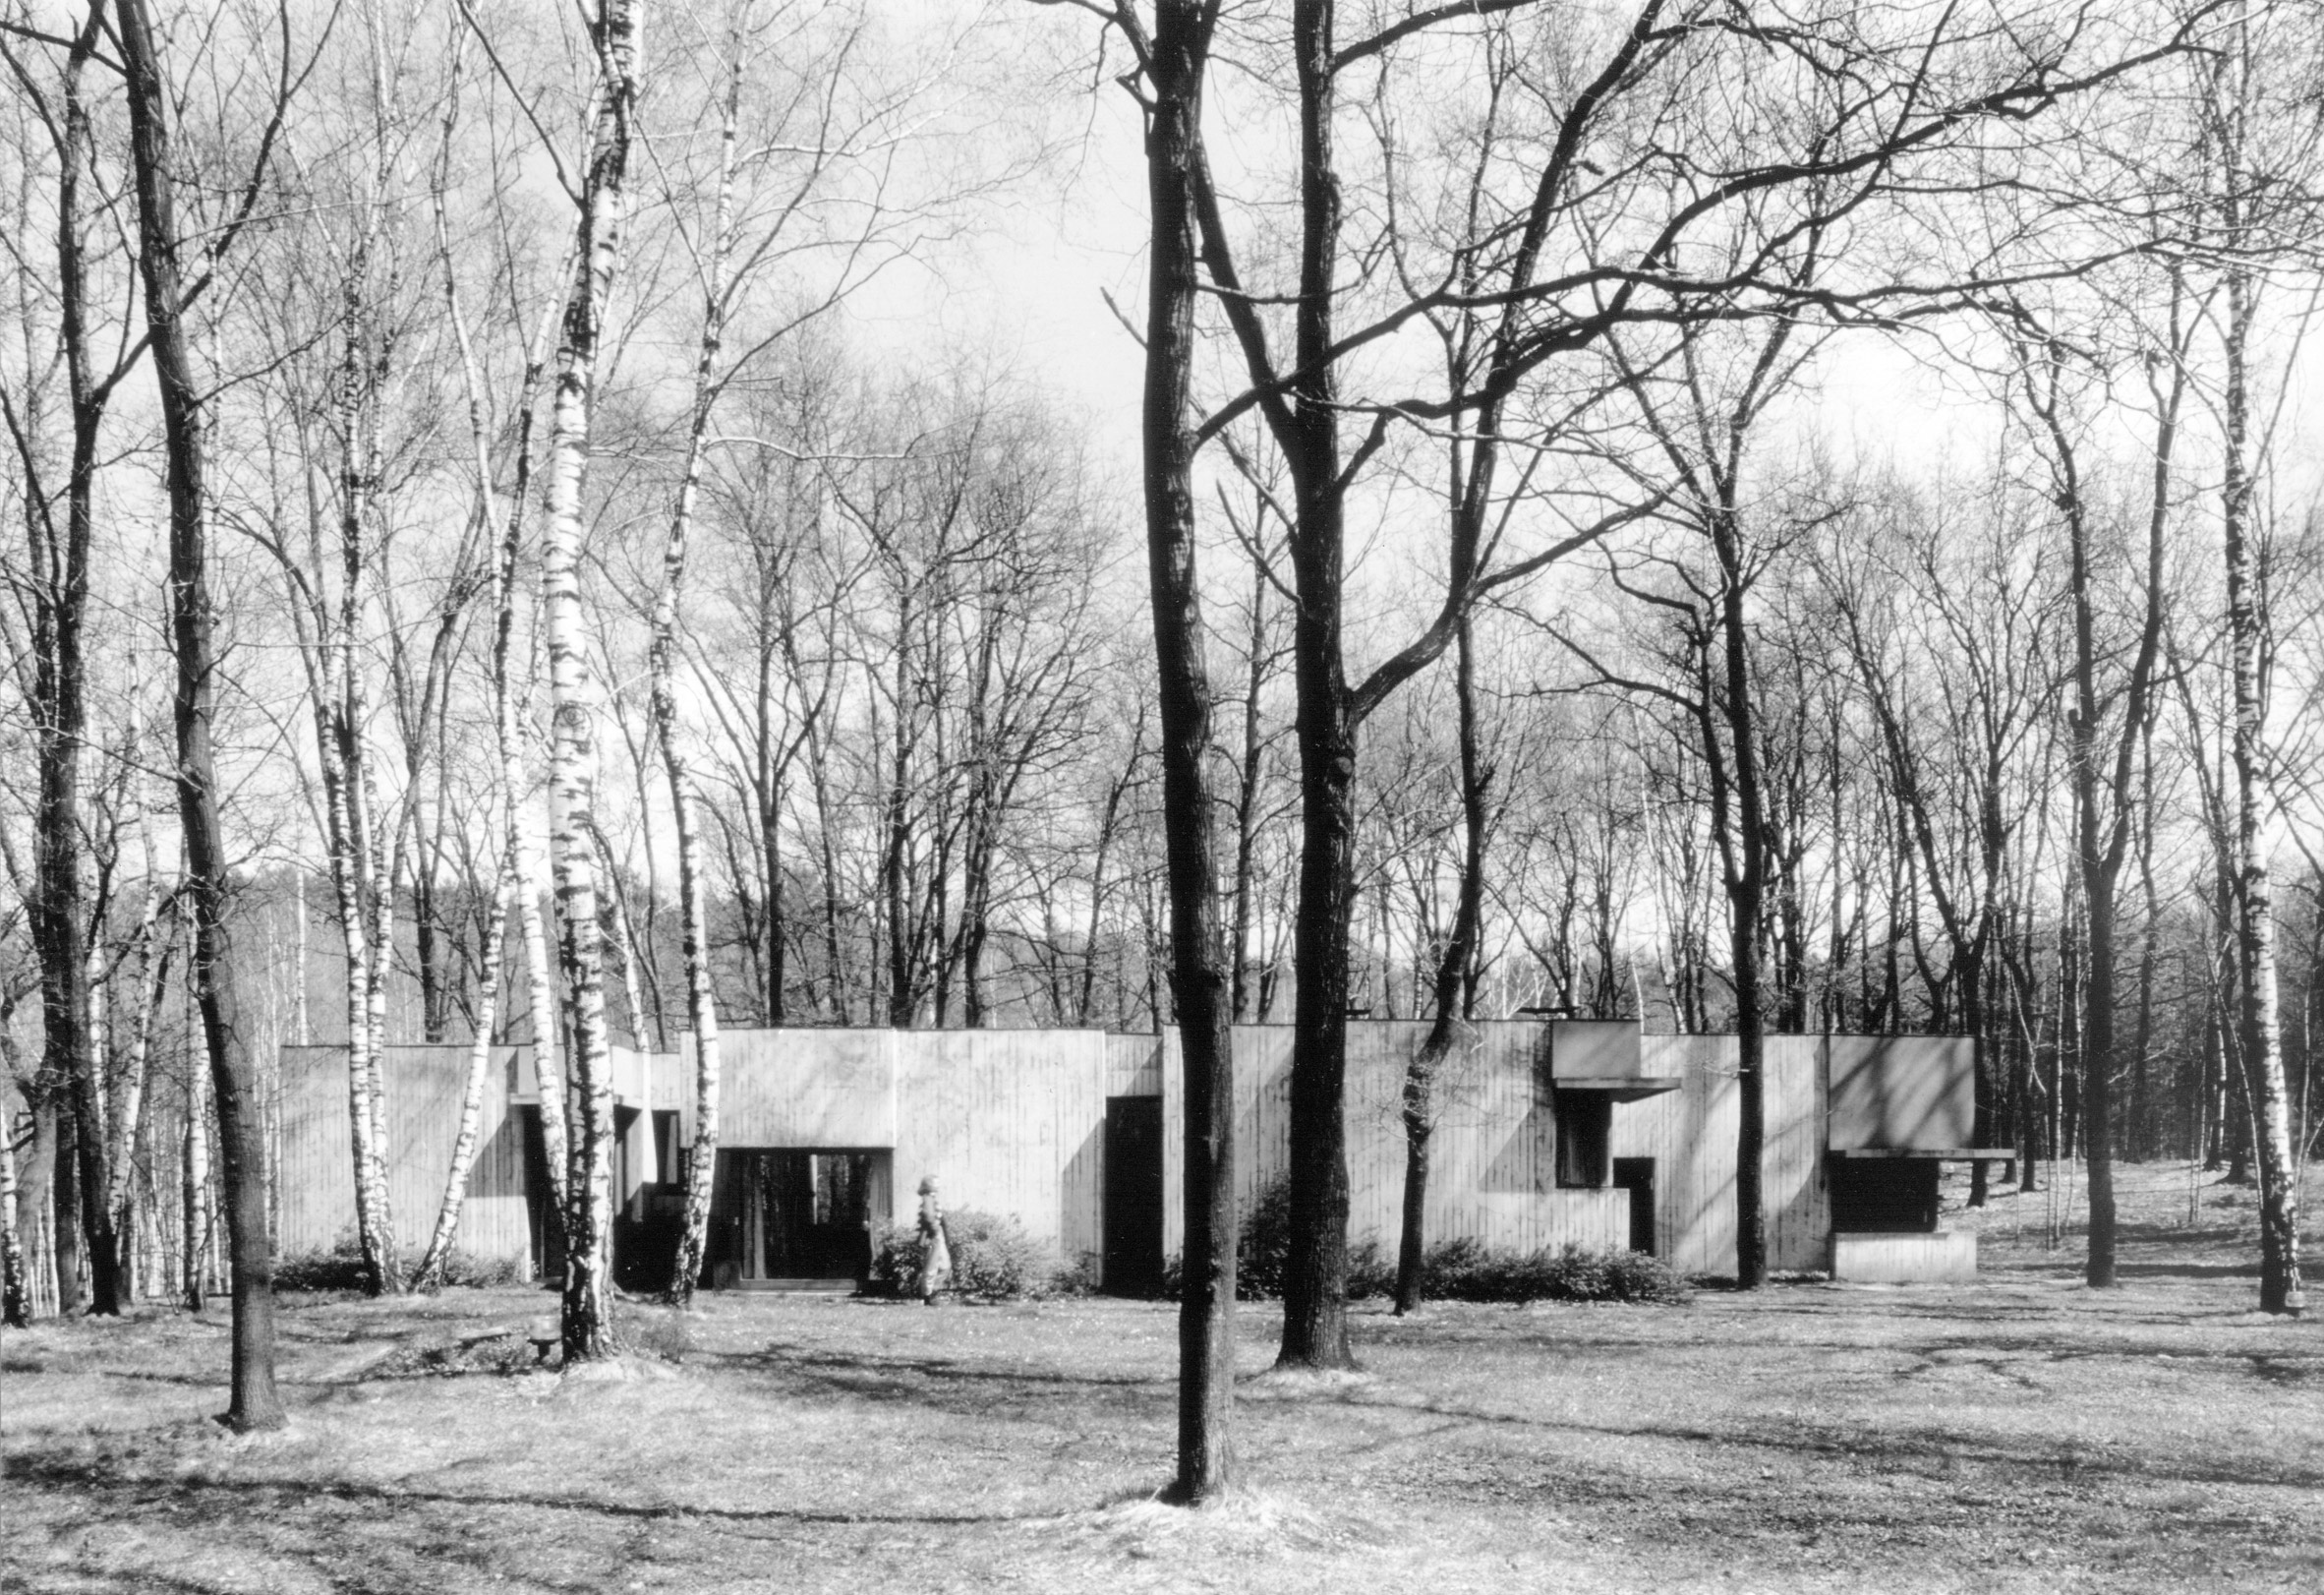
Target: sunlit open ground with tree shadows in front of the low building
{"points": [[2021, 1433]]}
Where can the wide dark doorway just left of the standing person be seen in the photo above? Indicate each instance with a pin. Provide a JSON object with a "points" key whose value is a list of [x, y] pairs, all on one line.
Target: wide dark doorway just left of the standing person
{"points": [[794, 1215]]}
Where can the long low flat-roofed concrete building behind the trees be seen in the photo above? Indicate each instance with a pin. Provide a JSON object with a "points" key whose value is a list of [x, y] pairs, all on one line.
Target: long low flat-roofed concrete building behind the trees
{"points": [[1547, 1133]]}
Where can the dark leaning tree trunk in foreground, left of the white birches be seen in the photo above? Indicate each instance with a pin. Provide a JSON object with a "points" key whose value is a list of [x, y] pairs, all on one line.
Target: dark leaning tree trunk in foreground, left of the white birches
{"points": [[254, 1403]]}
